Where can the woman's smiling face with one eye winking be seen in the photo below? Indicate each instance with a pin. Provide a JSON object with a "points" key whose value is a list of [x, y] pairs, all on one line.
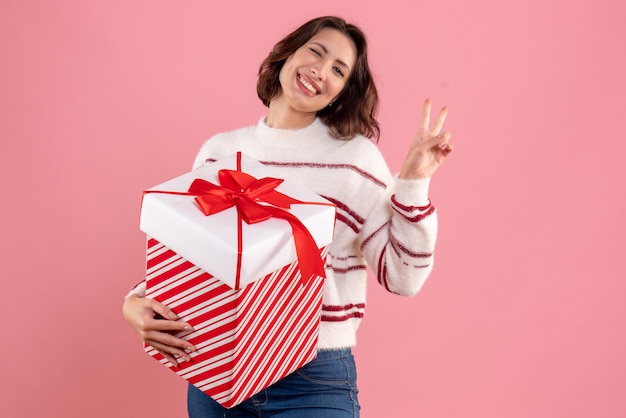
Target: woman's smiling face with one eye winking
{"points": [[317, 72]]}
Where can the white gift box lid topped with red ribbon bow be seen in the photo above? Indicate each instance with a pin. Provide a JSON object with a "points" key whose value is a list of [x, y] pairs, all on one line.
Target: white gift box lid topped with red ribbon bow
{"points": [[222, 242]]}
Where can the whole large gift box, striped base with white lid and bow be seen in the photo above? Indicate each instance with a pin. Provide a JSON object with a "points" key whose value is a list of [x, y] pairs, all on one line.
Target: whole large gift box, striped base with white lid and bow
{"points": [[254, 323]]}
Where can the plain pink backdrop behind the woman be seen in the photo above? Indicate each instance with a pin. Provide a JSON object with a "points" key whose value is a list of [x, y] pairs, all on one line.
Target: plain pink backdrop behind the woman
{"points": [[524, 314]]}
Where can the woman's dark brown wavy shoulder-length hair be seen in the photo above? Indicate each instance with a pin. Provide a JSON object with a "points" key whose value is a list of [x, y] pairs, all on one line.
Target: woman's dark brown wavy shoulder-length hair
{"points": [[354, 110]]}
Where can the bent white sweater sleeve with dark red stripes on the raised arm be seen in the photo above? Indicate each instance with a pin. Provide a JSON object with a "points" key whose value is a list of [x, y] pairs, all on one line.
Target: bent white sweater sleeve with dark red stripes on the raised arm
{"points": [[399, 234]]}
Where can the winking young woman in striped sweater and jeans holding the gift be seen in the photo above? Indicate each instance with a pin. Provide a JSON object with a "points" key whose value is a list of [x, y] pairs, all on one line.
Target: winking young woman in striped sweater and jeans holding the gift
{"points": [[322, 103]]}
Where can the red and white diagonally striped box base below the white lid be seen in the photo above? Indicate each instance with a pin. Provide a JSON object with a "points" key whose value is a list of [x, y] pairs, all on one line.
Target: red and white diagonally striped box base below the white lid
{"points": [[247, 339]]}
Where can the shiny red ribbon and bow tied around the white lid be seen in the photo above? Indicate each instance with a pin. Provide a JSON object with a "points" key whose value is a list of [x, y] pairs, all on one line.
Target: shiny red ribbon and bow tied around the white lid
{"points": [[244, 191]]}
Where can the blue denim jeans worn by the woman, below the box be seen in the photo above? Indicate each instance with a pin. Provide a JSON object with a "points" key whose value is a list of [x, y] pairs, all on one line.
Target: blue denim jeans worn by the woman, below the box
{"points": [[324, 388]]}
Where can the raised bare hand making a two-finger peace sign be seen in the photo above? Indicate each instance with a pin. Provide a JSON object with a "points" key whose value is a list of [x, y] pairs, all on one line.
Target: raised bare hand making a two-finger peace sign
{"points": [[429, 148]]}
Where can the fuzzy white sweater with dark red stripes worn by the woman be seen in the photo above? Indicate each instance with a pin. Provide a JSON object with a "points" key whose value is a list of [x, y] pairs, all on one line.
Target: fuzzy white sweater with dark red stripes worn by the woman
{"points": [[383, 222]]}
